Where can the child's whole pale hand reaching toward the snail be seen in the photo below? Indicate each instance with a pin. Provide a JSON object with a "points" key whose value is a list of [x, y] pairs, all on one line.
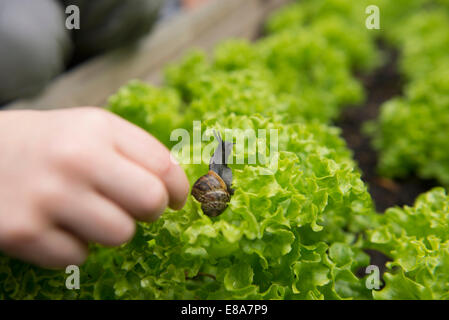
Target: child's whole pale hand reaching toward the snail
{"points": [[73, 176]]}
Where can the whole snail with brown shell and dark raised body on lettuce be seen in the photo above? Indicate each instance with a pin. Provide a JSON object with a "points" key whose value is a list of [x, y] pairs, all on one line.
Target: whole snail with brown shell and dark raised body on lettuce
{"points": [[213, 189]]}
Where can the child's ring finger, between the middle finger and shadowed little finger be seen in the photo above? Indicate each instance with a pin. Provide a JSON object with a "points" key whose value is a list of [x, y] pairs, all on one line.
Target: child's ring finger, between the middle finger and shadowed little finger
{"points": [[92, 217]]}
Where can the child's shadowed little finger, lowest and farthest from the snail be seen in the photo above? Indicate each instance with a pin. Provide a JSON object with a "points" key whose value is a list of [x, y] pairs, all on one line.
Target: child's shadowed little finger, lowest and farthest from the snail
{"points": [[53, 248]]}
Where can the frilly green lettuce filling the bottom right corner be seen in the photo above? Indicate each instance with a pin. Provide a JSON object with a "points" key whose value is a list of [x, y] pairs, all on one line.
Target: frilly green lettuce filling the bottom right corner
{"points": [[417, 240]]}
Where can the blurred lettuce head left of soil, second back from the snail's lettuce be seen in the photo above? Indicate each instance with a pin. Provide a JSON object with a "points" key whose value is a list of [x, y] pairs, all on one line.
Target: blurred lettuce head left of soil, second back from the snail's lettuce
{"points": [[303, 61]]}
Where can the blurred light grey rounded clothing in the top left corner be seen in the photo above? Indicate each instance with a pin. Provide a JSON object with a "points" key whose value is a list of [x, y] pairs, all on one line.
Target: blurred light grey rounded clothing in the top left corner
{"points": [[34, 46]]}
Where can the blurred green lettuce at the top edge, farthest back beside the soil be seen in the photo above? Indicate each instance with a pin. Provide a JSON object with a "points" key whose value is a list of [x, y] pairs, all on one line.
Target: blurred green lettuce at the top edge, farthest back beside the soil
{"points": [[339, 22]]}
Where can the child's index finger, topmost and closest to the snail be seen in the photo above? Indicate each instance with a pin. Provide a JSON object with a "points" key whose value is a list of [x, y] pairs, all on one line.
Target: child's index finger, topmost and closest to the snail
{"points": [[148, 152]]}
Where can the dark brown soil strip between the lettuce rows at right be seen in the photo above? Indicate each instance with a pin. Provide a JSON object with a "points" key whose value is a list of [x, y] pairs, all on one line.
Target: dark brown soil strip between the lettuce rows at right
{"points": [[380, 86]]}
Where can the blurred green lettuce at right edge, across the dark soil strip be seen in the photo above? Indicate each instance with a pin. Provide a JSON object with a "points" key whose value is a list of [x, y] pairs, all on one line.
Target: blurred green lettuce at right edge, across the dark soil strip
{"points": [[411, 132]]}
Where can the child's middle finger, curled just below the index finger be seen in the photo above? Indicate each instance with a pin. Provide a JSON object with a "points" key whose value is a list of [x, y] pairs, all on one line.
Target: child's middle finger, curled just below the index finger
{"points": [[136, 190]]}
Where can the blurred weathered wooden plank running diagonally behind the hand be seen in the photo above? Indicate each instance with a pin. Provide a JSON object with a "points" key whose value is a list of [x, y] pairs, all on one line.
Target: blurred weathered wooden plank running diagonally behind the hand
{"points": [[93, 82]]}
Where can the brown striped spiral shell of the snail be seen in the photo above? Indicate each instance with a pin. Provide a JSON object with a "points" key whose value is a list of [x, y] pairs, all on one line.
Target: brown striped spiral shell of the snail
{"points": [[213, 194]]}
